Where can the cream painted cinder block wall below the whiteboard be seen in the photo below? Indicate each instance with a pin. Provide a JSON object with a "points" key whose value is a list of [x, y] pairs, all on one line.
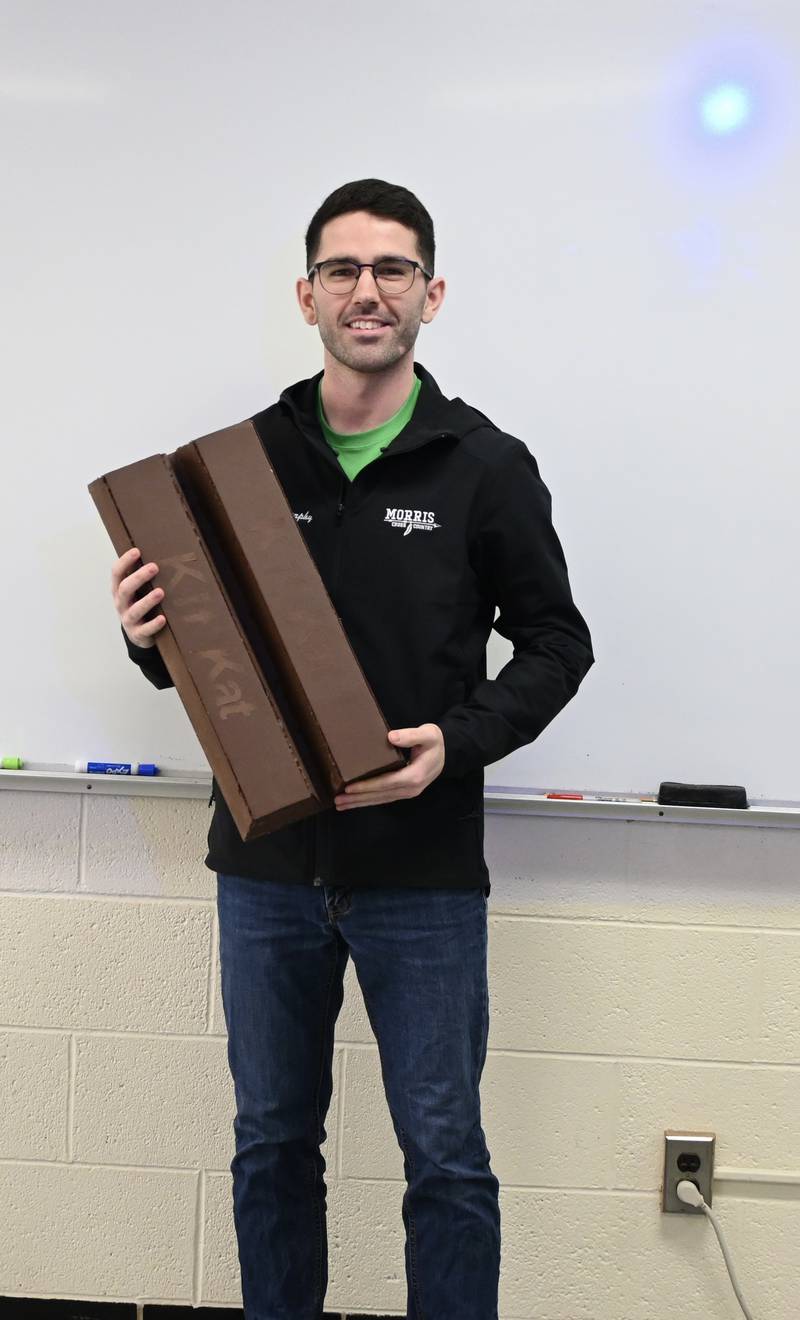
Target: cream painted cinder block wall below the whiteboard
{"points": [[644, 976]]}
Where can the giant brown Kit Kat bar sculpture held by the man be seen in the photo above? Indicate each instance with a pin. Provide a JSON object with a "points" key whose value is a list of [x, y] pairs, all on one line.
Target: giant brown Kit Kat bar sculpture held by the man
{"points": [[253, 643]]}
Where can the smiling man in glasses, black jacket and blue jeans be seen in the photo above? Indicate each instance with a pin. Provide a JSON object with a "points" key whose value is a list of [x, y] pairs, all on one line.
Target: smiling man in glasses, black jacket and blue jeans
{"points": [[423, 518]]}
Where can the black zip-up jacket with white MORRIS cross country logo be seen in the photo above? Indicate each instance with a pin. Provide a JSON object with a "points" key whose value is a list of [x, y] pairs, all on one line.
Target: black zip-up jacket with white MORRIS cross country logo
{"points": [[451, 523]]}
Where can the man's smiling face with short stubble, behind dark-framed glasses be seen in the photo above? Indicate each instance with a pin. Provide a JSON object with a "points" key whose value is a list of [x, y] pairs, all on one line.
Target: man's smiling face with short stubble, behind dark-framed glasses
{"points": [[361, 237]]}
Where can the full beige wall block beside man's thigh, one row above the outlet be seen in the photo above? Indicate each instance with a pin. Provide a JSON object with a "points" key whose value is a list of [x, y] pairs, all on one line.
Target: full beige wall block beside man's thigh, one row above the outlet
{"points": [[622, 989]]}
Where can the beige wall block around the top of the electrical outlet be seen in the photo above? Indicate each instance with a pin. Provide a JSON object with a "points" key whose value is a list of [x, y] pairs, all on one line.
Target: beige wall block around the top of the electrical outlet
{"points": [[754, 1112]]}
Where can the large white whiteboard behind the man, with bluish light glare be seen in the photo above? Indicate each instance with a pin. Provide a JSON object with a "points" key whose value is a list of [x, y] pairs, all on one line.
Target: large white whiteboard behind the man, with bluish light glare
{"points": [[622, 295]]}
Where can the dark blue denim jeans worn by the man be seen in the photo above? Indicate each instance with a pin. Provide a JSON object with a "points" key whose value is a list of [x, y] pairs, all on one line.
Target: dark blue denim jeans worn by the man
{"points": [[420, 959]]}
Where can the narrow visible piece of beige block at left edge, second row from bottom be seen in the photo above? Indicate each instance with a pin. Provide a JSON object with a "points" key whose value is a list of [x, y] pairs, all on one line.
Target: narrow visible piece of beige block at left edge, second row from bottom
{"points": [[34, 1095]]}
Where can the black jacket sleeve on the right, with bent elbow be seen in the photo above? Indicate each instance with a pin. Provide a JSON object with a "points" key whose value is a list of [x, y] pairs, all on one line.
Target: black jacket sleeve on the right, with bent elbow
{"points": [[523, 572]]}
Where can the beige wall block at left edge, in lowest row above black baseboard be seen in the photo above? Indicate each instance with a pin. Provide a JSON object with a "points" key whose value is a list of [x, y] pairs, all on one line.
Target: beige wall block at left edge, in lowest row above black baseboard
{"points": [[73, 1232]]}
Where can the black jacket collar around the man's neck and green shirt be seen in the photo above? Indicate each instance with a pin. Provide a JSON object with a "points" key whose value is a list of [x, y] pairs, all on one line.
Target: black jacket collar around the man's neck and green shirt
{"points": [[435, 415]]}
